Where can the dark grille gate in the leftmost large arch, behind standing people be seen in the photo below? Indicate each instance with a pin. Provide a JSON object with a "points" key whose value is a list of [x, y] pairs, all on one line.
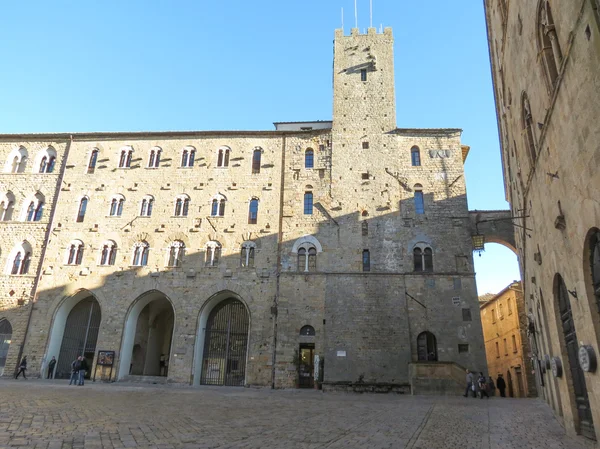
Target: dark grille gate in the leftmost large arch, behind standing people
{"points": [[80, 337]]}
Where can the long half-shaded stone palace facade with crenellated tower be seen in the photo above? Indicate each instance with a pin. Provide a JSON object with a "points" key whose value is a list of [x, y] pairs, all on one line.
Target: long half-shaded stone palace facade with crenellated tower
{"points": [[237, 257]]}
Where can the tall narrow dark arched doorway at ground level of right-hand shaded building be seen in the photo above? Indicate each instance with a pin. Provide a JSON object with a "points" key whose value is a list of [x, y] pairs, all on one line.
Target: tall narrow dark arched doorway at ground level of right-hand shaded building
{"points": [[571, 345]]}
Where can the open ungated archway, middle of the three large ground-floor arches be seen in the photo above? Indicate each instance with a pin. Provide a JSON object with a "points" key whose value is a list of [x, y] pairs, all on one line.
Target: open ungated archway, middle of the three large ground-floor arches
{"points": [[147, 338]]}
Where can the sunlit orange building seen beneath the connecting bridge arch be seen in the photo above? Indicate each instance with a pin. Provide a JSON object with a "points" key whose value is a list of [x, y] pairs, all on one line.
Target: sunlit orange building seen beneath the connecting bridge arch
{"points": [[504, 322]]}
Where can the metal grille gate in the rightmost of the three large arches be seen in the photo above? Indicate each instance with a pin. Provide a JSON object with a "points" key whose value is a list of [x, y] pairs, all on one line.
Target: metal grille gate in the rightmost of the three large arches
{"points": [[225, 345]]}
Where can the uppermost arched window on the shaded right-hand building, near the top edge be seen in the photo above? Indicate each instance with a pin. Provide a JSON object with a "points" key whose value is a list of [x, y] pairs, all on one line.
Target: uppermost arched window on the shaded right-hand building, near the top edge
{"points": [[549, 46]]}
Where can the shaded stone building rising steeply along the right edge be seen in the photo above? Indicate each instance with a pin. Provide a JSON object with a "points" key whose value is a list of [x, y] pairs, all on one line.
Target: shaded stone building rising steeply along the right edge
{"points": [[545, 56]]}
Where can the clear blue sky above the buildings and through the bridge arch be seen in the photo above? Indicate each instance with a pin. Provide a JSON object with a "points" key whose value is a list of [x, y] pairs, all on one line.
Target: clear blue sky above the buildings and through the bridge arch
{"points": [[197, 65]]}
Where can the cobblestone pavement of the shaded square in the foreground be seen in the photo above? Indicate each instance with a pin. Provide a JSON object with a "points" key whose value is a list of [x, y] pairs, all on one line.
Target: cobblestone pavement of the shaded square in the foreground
{"points": [[55, 416]]}
